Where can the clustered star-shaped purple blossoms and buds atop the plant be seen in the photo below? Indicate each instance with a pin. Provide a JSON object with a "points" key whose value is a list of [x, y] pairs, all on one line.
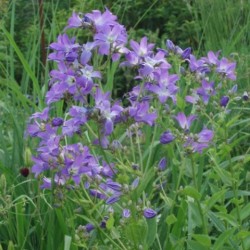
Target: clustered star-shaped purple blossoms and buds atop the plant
{"points": [[81, 146]]}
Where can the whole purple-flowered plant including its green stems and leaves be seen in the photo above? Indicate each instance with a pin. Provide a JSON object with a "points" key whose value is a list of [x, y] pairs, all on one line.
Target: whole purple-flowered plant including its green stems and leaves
{"points": [[125, 162]]}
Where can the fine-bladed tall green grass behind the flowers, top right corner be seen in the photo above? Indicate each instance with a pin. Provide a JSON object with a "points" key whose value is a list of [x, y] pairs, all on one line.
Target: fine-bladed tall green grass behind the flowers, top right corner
{"points": [[224, 25]]}
